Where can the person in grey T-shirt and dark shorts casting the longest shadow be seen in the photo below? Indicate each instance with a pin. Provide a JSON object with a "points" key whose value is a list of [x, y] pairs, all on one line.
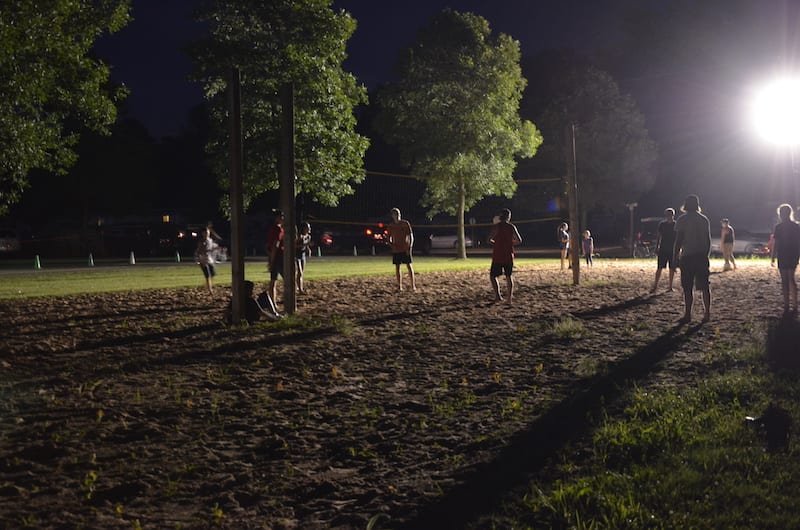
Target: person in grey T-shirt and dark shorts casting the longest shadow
{"points": [[692, 248]]}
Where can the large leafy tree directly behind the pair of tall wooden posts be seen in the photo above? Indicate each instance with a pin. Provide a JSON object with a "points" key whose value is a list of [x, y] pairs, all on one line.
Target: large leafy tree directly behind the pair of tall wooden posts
{"points": [[274, 43]]}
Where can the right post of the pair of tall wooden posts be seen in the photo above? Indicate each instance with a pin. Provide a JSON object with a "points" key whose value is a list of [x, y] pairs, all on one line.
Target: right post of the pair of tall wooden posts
{"points": [[287, 198]]}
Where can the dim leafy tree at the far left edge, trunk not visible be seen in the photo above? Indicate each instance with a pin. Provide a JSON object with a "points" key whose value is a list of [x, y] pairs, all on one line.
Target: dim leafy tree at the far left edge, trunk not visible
{"points": [[50, 86]]}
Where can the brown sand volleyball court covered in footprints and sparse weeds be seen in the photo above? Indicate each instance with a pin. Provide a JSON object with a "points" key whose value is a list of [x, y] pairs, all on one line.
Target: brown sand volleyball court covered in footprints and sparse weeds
{"points": [[404, 407]]}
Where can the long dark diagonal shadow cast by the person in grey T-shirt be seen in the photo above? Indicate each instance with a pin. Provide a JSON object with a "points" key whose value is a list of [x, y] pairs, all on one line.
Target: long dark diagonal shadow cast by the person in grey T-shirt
{"points": [[482, 488]]}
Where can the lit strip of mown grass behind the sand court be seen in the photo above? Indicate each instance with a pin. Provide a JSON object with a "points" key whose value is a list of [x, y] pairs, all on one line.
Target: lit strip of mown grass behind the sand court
{"points": [[69, 277]]}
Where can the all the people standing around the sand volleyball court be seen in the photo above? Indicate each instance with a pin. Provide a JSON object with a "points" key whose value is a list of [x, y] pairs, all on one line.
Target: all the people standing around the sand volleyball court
{"points": [[683, 243]]}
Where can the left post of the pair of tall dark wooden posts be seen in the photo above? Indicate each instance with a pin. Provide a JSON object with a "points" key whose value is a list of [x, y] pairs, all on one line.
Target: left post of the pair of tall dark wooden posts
{"points": [[237, 202]]}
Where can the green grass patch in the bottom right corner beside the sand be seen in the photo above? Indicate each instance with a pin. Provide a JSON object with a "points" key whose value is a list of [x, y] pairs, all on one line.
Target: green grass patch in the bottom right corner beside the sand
{"points": [[678, 456]]}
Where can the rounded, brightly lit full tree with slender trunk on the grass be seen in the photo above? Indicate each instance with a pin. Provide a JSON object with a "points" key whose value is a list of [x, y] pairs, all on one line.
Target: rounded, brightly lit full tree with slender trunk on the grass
{"points": [[454, 113]]}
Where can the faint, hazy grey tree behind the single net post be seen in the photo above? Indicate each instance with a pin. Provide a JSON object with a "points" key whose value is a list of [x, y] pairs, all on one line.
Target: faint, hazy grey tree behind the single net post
{"points": [[615, 155]]}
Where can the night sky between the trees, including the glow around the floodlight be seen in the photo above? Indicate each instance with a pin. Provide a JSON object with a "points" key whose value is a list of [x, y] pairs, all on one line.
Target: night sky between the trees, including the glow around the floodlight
{"points": [[697, 117]]}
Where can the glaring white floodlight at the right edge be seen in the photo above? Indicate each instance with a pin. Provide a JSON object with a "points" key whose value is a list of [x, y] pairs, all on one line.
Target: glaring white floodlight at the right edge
{"points": [[777, 112]]}
